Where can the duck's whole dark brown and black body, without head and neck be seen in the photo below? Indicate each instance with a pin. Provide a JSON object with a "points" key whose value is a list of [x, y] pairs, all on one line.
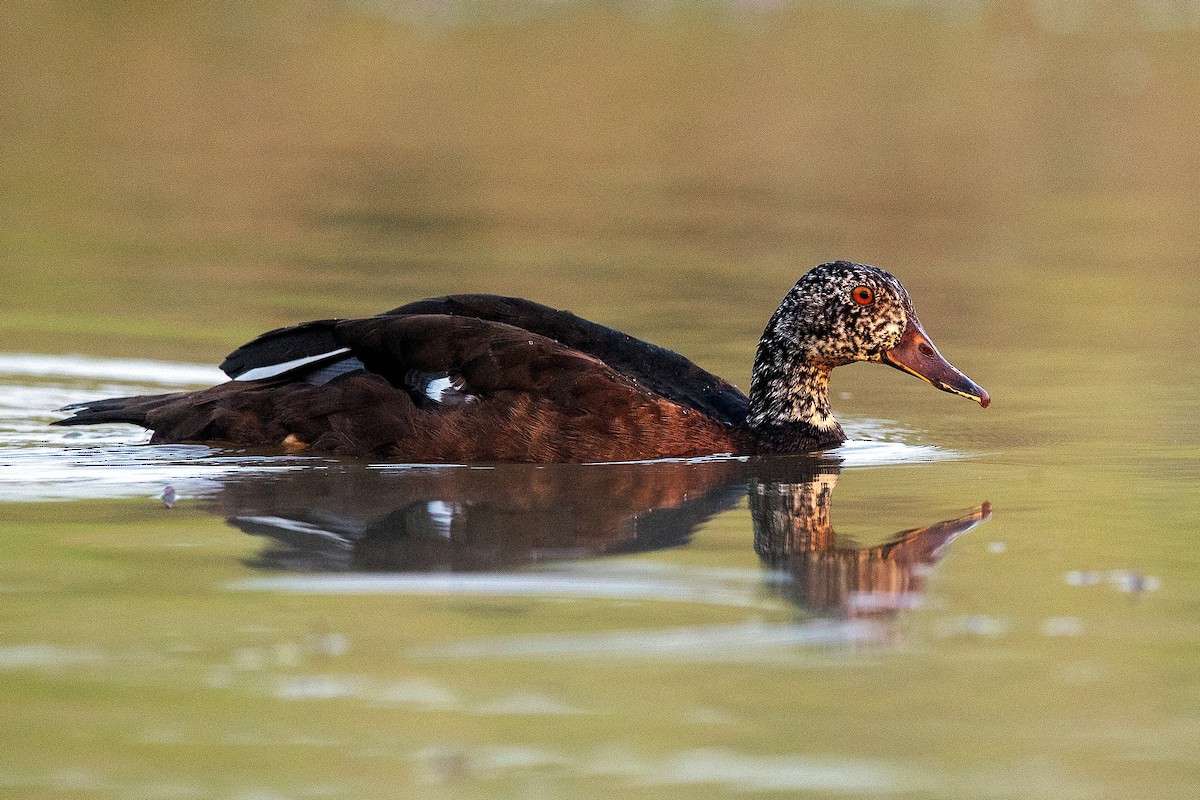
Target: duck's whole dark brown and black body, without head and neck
{"points": [[455, 380]]}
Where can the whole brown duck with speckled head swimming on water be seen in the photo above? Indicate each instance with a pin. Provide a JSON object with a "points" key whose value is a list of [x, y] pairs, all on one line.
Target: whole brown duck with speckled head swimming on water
{"points": [[479, 378]]}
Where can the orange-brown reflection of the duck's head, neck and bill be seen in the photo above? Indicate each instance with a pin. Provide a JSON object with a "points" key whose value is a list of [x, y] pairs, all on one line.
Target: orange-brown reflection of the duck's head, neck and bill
{"points": [[794, 533]]}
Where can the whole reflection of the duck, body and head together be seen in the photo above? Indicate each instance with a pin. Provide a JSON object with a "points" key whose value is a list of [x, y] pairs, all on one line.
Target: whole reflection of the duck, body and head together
{"points": [[461, 520]]}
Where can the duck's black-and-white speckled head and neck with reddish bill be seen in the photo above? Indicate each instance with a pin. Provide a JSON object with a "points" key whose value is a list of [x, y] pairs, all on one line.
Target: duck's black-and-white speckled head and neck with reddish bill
{"points": [[838, 314]]}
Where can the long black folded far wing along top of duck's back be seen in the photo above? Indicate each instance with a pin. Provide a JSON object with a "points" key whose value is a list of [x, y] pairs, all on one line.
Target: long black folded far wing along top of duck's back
{"points": [[651, 366]]}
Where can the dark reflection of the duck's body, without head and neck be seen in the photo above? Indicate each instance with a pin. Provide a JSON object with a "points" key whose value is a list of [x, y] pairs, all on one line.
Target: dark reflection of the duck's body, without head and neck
{"points": [[464, 520]]}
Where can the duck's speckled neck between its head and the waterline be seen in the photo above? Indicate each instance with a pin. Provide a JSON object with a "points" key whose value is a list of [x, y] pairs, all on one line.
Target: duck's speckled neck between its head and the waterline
{"points": [[790, 402]]}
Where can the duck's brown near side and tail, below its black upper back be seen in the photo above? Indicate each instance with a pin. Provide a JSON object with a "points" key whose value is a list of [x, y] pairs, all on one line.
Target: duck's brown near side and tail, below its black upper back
{"points": [[433, 388]]}
